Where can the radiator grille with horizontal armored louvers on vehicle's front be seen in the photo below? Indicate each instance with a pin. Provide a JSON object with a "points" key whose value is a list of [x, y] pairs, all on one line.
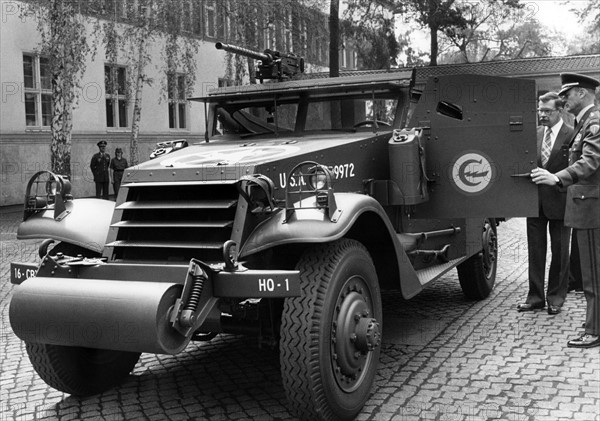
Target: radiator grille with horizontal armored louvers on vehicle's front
{"points": [[173, 222]]}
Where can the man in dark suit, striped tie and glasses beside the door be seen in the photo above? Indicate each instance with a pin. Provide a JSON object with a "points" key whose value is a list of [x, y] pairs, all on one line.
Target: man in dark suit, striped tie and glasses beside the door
{"points": [[553, 137]]}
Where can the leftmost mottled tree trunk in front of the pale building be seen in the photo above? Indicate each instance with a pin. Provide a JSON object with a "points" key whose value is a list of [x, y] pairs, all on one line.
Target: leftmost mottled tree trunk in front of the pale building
{"points": [[64, 43]]}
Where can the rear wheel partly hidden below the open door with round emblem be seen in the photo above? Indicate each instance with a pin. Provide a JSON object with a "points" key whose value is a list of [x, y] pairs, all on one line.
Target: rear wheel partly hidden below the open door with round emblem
{"points": [[477, 274]]}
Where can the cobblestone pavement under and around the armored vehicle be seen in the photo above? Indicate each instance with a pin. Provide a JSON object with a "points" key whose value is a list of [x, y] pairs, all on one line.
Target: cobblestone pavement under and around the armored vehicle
{"points": [[444, 358]]}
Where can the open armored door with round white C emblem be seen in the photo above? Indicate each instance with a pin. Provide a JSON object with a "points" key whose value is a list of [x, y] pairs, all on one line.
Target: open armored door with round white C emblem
{"points": [[480, 146]]}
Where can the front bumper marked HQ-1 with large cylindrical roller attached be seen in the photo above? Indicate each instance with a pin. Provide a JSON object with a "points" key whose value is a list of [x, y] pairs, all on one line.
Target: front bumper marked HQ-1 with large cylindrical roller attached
{"points": [[128, 307]]}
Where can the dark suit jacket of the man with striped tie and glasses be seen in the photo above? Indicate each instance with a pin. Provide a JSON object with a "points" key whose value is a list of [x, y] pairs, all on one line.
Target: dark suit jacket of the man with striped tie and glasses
{"points": [[552, 199]]}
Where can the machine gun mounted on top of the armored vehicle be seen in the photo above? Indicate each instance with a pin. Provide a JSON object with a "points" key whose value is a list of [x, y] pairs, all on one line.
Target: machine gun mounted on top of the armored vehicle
{"points": [[274, 65]]}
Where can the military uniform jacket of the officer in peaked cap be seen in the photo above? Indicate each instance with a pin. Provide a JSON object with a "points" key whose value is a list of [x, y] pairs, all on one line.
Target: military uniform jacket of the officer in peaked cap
{"points": [[582, 176]]}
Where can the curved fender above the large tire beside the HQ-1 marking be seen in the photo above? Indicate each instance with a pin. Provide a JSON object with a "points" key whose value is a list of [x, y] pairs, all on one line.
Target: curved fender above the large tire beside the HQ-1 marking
{"points": [[361, 217]]}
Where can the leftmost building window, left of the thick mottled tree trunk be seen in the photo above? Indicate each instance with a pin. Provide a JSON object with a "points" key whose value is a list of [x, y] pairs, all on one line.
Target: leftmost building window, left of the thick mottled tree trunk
{"points": [[37, 84]]}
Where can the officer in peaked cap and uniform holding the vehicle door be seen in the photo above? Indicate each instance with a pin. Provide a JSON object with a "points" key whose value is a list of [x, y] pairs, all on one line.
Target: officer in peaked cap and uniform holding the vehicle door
{"points": [[582, 179]]}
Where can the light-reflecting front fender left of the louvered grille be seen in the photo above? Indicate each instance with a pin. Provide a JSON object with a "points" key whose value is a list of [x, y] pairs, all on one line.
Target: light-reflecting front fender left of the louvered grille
{"points": [[86, 225]]}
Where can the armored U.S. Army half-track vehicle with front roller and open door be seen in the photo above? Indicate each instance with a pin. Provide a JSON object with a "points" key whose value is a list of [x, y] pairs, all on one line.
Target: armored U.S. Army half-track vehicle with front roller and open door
{"points": [[302, 203]]}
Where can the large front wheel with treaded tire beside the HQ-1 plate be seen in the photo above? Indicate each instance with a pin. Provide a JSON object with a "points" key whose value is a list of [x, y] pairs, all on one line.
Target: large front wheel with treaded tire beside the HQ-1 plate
{"points": [[330, 335]]}
